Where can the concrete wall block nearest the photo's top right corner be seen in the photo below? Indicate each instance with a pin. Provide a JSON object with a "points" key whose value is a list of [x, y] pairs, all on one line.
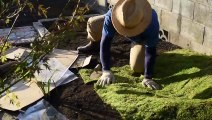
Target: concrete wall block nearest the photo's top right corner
{"points": [[201, 13]]}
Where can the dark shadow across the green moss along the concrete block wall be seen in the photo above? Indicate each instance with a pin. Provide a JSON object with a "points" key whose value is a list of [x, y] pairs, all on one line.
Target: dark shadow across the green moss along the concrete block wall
{"points": [[170, 64]]}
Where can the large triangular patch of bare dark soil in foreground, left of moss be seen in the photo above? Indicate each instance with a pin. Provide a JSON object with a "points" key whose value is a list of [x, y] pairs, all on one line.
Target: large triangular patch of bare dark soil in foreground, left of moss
{"points": [[80, 101]]}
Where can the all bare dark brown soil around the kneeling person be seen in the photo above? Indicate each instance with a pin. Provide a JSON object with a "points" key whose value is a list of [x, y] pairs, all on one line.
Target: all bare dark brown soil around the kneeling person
{"points": [[79, 101]]}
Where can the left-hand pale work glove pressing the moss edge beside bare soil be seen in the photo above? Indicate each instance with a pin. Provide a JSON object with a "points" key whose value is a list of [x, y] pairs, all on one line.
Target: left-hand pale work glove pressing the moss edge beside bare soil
{"points": [[106, 78]]}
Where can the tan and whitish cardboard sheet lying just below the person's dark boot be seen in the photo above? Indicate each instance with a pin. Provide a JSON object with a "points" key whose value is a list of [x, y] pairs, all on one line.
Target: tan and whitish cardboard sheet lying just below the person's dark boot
{"points": [[59, 62]]}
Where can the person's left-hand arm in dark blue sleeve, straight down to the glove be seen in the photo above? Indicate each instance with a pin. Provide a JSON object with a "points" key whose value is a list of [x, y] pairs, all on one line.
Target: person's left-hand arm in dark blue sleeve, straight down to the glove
{"points": [[106, 40]]}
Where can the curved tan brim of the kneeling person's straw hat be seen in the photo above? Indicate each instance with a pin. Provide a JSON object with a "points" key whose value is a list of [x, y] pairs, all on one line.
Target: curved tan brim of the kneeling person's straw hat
{"points": [[130, 32]]}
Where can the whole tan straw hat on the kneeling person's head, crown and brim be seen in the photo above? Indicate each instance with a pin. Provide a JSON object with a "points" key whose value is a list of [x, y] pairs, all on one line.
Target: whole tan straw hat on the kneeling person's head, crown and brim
{"points": [[131, 17]]}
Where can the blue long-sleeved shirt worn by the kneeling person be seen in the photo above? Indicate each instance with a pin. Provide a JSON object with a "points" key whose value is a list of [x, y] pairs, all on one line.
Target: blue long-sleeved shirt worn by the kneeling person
{"points": [[149, 37]]}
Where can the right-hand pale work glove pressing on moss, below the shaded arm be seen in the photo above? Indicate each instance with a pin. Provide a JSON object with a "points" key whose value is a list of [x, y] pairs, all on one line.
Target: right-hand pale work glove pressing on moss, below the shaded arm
{"points": [[151, 84]]}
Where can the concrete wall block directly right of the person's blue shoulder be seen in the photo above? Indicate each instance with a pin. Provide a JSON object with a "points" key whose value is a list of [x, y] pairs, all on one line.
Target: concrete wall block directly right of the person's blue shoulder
{"points": [[170, 21]]}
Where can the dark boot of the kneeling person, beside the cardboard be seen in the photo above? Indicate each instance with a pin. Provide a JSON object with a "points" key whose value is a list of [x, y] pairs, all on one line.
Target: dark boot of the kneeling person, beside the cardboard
{"points": [[90, 48]]}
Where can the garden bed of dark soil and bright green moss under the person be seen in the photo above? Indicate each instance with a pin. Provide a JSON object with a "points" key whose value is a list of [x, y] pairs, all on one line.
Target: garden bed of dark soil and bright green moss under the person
{"points": [[183, 74]]}
